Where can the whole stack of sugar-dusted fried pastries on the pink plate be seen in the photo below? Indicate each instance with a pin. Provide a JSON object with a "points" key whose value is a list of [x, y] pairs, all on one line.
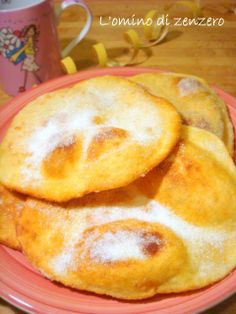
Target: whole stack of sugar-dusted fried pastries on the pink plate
{"points": [[123, 186]]}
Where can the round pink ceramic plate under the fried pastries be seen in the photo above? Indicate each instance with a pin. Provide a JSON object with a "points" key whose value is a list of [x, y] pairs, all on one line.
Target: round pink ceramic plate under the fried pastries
{"points": [[24, 287]]}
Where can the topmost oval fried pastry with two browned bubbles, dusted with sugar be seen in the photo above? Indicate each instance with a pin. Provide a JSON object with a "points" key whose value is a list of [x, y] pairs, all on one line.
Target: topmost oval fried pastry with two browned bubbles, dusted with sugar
{"points": [[100, 134]]}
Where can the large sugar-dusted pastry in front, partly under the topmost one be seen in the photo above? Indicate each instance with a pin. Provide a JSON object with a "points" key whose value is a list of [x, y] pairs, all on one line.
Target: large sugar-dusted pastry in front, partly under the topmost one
{"points": [[134, 242]]}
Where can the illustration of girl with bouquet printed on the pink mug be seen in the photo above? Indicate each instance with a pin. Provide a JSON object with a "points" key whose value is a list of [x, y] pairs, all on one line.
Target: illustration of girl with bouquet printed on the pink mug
{"points": [[20, 48]]}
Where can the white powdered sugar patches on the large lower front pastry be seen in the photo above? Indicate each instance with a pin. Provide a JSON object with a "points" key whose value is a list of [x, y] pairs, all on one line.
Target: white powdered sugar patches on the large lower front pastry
{"points": [[197, 239]]}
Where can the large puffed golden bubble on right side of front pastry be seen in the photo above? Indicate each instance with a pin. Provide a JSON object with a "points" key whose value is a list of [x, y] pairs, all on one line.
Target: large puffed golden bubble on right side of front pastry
{"points": [[197, 181]]}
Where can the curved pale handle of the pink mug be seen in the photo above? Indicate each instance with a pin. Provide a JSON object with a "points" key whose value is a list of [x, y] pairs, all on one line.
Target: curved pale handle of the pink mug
{"points": [[66, 4]]}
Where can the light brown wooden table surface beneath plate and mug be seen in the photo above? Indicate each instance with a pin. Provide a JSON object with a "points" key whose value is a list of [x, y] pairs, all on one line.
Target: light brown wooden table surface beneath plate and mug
{"points": [[209, 52]]}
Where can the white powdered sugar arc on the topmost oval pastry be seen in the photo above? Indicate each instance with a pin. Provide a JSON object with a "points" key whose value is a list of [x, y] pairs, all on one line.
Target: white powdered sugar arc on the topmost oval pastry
{"points": [[75, 121]]}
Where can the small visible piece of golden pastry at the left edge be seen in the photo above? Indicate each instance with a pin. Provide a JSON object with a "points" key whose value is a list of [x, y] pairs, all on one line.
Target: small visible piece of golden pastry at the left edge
{"points": [[10, 206]]}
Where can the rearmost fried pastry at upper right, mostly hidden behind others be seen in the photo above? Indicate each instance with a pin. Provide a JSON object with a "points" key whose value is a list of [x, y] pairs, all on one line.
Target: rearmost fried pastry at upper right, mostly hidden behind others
{"points": [[197, 103]]}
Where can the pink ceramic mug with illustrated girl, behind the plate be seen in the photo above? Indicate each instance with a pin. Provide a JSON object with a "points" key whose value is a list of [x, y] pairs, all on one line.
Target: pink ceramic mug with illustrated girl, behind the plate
{"points": [[29, 47]]}
